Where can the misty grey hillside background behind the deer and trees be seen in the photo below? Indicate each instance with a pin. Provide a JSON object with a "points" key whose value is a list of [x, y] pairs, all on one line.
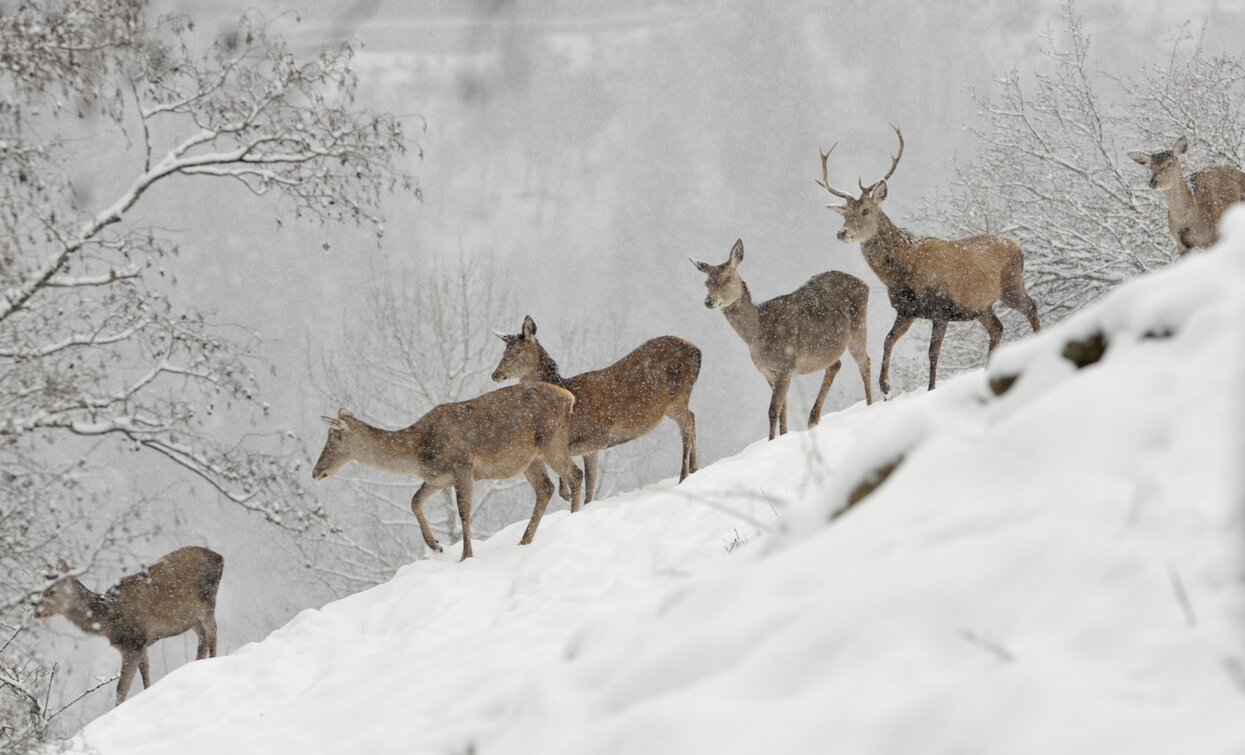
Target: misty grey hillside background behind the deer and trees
{"points": [[580, 153]]}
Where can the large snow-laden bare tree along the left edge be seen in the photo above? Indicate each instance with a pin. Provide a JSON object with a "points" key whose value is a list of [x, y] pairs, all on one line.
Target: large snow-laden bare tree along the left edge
{"points": [[100, 109]]}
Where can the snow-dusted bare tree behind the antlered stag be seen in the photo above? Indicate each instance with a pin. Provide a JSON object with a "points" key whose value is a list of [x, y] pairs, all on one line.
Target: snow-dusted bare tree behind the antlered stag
{"points": [[1054, 171]]}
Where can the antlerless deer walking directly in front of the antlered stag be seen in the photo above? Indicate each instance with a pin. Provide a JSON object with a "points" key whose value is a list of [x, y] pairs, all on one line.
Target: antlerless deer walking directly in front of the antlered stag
{"points": [[804, 332]]}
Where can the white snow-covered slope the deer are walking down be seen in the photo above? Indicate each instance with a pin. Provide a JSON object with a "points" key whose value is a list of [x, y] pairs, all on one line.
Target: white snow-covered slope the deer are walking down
{"points": [[1054, 566]]}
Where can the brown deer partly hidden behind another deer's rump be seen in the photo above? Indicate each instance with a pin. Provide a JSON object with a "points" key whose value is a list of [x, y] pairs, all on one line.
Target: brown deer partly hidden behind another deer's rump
{"points": [[617, 404]]}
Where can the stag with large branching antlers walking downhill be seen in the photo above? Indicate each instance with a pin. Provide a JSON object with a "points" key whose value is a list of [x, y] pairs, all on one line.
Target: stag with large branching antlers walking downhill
{"points": [[929, 278]]}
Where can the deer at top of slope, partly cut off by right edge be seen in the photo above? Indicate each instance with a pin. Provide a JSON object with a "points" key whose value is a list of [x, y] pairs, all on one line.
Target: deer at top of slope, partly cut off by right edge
{"points": [[1195, 206]]}
